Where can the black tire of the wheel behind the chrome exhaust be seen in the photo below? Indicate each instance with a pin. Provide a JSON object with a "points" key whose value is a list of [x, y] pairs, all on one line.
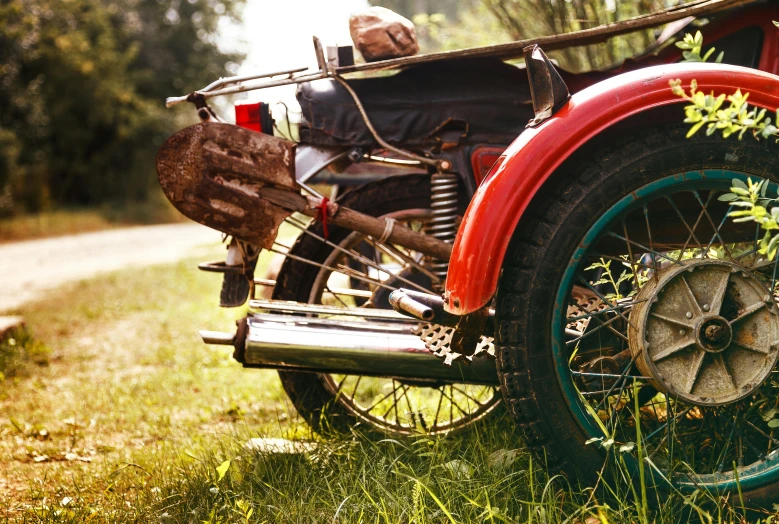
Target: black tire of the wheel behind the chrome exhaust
{"points": [[309, 392]]}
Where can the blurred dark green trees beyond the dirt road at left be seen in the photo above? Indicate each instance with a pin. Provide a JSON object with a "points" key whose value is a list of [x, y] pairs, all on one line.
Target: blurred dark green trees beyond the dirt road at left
{"points": [[81, 90]]}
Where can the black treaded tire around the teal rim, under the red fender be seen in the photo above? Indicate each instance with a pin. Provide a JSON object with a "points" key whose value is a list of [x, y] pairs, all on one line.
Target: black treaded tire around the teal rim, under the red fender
{"points": [[539, 253]]}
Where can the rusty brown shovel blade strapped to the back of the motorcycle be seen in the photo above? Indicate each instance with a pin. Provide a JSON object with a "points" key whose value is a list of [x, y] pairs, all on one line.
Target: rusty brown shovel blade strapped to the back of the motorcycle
{"points": [[213, 174]]}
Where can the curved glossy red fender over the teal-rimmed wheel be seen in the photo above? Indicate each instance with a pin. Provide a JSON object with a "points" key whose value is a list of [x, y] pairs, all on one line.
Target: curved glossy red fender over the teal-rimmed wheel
{"points": [[500, 201]]}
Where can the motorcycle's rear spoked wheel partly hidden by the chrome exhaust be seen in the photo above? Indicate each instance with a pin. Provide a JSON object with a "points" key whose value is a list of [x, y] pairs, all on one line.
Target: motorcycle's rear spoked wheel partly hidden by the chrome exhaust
{"points": [[334, 403]]}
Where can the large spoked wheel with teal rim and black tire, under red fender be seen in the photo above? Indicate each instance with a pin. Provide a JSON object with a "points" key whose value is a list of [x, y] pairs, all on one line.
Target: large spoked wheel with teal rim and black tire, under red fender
{"points": [[653, 319]]}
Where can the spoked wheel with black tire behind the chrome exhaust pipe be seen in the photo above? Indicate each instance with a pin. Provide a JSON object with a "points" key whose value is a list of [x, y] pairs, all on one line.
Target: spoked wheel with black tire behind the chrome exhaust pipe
{"points": [[393, 406]]}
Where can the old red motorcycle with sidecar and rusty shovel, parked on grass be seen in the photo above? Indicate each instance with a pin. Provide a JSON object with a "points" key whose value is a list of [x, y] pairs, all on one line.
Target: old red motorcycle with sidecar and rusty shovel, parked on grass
{"points": [[595, 260]]}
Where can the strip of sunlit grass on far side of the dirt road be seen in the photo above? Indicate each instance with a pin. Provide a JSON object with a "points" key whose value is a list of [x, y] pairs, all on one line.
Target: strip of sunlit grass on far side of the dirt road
{"points": [[71, 221]]}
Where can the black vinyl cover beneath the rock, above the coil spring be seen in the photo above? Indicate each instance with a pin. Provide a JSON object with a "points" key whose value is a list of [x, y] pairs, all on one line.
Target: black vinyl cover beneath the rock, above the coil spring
{"points": [[465, 101]]}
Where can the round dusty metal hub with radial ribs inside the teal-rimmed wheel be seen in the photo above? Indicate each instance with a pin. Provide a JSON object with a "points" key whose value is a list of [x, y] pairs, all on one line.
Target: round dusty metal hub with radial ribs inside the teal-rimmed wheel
{"points": [[706, 331]]}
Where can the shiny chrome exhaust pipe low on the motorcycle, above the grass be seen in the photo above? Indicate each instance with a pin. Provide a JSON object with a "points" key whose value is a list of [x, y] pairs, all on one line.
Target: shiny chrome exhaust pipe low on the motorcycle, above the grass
{"points": [[380, 349]]}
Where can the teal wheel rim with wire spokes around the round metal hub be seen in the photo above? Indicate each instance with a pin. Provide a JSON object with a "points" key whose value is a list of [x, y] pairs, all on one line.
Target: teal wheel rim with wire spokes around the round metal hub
{"points": [[756, 467]]}
